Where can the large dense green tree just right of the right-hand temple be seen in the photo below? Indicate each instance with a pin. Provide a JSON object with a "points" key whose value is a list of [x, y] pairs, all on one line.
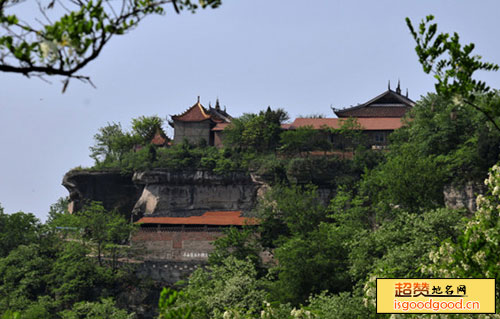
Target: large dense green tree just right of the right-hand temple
{"points": [[441, 144]]}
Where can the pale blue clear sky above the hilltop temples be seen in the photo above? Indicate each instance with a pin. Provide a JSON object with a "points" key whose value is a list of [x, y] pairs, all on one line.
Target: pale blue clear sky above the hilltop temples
{"points": [[298, 55]]}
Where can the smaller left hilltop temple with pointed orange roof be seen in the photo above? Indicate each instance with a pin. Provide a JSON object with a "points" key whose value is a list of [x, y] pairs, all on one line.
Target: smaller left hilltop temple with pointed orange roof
{"points": [[199, 125]]}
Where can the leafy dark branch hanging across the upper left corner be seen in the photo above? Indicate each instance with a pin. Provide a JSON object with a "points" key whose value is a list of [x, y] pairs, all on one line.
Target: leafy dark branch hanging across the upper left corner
{"points": [[64, 45]]}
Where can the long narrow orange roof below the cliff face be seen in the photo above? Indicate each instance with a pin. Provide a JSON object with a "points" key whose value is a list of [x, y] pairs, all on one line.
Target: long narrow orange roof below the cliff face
{"points": [[219, 218]]}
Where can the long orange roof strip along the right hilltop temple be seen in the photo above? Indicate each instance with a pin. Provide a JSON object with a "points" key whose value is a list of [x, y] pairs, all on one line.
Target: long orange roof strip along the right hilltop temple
{"points": [[368, 123]]}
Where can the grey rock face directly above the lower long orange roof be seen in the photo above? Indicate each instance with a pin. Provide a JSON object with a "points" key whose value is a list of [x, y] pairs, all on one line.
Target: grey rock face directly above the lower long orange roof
{"points": [[192, 193]]}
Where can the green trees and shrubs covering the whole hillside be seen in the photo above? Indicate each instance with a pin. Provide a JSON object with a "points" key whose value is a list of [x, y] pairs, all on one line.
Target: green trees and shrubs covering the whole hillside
{"points": [[387, 219]]}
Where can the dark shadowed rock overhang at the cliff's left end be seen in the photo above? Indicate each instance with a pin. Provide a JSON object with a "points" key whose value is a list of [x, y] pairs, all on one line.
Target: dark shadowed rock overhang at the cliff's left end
{"points": [[115, 190]]}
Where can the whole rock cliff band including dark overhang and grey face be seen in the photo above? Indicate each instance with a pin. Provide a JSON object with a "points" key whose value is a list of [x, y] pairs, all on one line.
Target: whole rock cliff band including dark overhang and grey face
{"points": [[163, 193]]}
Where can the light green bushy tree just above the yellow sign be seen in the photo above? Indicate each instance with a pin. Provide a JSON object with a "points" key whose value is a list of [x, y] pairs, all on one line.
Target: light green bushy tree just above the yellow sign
{"points": [[398, 247]]}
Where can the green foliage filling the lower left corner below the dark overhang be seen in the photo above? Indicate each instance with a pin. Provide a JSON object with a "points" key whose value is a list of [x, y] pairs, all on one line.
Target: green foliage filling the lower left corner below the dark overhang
{"points": [[48, 268]]}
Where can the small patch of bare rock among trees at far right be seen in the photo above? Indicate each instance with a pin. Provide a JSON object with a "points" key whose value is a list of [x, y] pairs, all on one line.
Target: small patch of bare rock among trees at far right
{"points": [[463, 196]]}
